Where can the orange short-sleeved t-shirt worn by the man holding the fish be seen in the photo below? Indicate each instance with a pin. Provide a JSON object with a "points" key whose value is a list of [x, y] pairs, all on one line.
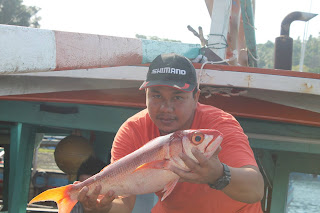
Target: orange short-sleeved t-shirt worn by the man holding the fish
{"points": [[189, 197]]}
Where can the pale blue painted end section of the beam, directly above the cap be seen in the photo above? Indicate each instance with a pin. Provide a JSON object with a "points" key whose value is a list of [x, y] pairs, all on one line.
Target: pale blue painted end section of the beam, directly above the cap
{"points": [[152, 49]]}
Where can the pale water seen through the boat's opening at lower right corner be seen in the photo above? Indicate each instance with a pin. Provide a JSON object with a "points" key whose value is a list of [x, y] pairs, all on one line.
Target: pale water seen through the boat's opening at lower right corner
{"points": [[306, 194]]}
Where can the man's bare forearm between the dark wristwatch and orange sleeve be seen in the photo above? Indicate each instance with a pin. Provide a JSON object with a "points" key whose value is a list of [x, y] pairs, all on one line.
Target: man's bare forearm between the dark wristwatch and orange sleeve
{"points": [[246, 184]]}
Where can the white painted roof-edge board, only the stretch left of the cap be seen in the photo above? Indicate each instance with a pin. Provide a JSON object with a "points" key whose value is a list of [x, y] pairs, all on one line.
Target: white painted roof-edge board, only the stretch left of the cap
{"points": [[72, 80]]}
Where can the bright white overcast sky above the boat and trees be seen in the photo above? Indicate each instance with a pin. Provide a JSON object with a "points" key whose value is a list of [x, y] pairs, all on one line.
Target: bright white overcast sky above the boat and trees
{"points": [[165, 18]]}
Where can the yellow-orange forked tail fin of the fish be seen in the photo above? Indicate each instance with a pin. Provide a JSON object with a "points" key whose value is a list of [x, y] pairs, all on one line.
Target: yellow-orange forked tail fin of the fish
{"points": [[60, 195]]}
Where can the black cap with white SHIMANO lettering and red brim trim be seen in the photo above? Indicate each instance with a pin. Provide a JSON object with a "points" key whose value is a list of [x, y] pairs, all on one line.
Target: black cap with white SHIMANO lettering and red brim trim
{"points": [[171, 70]]}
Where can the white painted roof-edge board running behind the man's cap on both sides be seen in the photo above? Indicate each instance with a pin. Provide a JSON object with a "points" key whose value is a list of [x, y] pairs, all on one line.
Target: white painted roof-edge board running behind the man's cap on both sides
{"points": [[133, 76]]}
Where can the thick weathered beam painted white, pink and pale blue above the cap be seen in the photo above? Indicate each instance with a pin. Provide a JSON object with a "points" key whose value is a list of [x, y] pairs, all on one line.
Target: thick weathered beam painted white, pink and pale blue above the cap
{"points": [[33, 50]]}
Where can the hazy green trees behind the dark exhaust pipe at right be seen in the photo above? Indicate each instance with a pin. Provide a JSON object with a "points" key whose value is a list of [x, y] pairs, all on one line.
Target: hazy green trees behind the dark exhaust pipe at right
{"points": [[311, 59]]}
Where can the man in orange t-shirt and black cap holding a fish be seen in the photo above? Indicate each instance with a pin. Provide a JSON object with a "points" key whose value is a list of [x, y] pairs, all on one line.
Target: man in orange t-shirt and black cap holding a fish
{"points": [[229, 181]]}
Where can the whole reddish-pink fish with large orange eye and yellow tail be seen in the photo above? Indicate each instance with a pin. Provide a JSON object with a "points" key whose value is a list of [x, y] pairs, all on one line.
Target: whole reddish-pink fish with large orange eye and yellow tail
{"points": [[145, 170]]}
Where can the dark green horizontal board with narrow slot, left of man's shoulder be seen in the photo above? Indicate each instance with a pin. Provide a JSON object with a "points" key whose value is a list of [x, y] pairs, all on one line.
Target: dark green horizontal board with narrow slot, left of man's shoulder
{"points": [[100, 118]]}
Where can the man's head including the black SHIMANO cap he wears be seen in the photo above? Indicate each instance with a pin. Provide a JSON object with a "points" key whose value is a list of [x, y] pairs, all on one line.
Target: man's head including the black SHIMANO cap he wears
{"points": [[171, 92]]}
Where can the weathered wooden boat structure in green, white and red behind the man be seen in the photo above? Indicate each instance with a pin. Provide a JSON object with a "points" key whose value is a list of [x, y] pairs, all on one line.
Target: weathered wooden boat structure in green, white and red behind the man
{"points": [[53, 82]]}
